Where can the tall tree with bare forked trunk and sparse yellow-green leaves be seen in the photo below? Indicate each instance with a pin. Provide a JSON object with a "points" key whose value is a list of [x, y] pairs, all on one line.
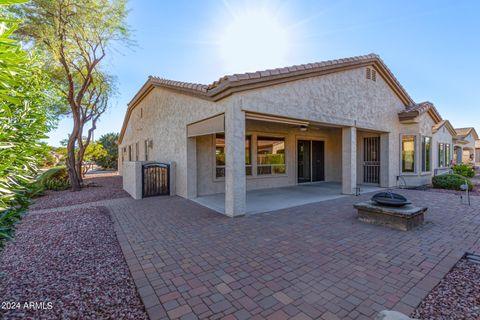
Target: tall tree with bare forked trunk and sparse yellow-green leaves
{"points": [[76, 36]]}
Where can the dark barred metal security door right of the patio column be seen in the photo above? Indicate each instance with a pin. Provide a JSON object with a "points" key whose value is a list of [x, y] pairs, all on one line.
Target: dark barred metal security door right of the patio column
{"points": [[371, 160]]}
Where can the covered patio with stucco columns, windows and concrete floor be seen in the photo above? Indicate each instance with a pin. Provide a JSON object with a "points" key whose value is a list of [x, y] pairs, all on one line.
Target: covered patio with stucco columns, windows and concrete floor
{"points": [[249, 162]]}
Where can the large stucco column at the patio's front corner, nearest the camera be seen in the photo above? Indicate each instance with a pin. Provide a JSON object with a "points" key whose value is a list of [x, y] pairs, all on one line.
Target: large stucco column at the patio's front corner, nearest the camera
{"points": [[235, 181]]}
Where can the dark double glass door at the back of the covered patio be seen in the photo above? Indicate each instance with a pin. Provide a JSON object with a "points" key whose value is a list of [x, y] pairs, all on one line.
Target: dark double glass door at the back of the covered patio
{"points": [[311, 161]]}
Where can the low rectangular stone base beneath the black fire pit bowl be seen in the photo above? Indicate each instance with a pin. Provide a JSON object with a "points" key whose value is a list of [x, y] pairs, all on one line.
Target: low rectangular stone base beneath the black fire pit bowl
{"points": [[402, 218]]}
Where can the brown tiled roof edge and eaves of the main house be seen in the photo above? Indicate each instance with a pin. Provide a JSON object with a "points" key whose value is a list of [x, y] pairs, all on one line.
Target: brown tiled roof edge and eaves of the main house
{"points": [[230, 84]]}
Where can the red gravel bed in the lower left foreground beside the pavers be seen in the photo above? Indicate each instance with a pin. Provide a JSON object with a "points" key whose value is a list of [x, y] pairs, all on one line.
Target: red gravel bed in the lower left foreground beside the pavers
{"points": [[73, 260]]}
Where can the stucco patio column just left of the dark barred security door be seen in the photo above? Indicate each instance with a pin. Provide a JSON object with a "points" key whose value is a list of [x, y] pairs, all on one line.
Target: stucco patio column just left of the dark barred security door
{"points": [[349, 160]]}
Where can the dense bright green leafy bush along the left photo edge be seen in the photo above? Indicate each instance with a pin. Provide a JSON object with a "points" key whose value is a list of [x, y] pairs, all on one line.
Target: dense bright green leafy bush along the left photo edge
{"points": [[26, 95]]}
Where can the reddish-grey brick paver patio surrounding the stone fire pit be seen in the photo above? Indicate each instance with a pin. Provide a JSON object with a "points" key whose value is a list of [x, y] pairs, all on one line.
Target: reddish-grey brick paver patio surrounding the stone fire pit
{"points": [[310, 262]]}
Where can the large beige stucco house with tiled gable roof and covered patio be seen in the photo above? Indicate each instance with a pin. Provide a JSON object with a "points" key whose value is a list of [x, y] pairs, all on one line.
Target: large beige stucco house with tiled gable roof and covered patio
{"points": [[347, 121]]}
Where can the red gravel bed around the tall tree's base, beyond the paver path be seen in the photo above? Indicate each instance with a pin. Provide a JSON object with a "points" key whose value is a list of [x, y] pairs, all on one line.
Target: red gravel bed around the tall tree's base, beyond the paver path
{"points": [[109, 187]]}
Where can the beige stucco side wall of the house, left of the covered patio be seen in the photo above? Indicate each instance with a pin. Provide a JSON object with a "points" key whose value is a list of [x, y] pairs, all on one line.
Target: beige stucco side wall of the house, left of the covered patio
{"points": [[162, 116]]}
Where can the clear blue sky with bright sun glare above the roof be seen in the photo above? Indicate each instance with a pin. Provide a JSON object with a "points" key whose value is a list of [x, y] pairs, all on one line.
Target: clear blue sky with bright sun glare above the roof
{"points": [[432, 47]]}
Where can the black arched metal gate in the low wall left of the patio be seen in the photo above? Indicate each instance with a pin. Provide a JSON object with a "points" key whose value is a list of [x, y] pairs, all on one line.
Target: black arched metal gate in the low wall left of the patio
{"points": [[155, 179]]}
